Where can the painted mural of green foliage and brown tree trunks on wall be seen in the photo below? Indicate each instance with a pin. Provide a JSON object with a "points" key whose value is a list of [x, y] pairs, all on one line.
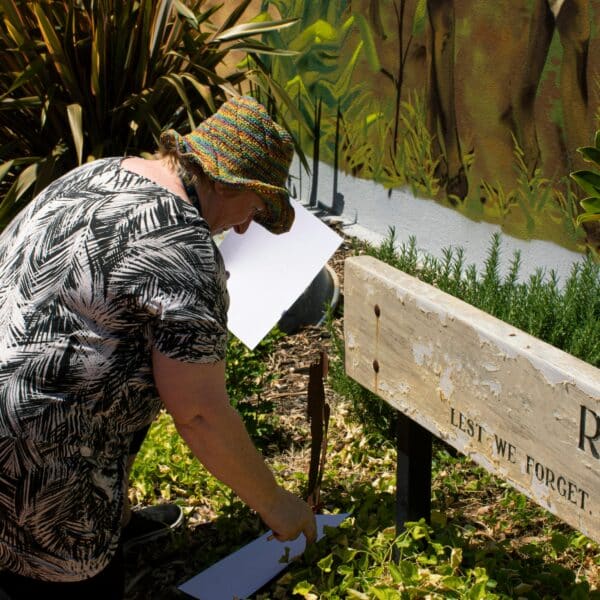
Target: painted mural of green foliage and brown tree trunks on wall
{"points": [[478, 104]]}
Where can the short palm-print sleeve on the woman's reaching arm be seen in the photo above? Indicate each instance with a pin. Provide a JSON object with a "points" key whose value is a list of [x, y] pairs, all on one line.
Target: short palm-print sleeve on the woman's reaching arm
{"points": [[177, 282]]}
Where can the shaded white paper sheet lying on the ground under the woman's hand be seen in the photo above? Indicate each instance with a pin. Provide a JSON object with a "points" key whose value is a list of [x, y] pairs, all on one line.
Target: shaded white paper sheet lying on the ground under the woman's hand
{"points": [[247, 570]]}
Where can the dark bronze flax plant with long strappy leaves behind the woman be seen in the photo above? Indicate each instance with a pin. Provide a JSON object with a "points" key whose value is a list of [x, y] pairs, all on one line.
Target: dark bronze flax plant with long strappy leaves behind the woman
{"points": [[83, 79]]}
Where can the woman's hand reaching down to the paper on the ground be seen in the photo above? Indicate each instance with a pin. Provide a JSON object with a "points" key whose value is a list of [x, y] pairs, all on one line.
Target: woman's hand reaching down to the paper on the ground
{"points": [[288, 516]]}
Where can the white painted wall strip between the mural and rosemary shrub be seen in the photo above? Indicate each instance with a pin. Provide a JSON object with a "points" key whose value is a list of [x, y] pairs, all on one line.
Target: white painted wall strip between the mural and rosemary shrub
{"points": [[369, 212]]}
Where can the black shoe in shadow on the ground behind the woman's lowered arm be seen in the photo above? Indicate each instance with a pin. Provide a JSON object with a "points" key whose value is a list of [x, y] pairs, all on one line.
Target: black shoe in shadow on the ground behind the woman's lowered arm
{"points": [[150, 523]]}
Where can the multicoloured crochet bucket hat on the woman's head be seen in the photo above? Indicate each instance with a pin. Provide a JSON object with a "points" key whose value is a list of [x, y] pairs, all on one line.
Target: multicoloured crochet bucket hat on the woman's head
{"points": [[240, 145]]}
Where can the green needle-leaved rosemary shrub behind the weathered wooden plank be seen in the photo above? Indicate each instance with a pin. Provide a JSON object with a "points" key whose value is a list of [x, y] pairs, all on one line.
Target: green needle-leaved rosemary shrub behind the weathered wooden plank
{"points": [[567, 316]]}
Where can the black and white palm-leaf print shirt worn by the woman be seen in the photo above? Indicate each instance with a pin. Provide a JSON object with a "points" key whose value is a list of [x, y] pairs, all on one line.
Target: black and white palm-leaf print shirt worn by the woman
{"points": [[102, 266]]}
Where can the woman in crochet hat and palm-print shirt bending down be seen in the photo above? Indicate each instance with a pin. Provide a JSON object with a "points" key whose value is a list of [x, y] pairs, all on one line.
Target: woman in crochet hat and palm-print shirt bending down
{"points": [[113, 304]]}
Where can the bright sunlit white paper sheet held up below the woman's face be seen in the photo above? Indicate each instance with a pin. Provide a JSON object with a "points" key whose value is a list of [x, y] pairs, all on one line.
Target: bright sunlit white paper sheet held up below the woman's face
{"points": [[268, 272]]}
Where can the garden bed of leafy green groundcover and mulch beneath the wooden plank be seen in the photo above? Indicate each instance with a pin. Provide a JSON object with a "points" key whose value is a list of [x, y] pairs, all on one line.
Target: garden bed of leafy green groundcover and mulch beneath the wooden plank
{"points": [[485, 541]]}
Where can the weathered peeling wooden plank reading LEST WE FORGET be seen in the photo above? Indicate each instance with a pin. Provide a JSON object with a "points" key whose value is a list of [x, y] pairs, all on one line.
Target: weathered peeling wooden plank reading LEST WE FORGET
{"points": [[517, 406]]}
